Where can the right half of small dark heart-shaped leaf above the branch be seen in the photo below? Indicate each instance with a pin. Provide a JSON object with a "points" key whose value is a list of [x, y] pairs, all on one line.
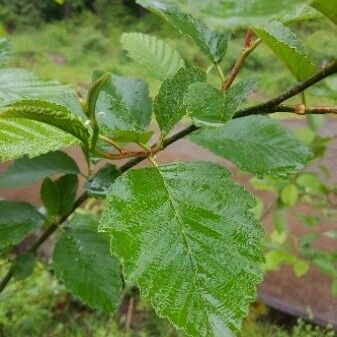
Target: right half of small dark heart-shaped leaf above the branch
{"points": [[67, 186]]}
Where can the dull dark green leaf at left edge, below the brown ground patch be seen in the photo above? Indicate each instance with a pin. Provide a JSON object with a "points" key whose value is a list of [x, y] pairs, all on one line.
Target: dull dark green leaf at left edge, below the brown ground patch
{"points": [[17, 220]]}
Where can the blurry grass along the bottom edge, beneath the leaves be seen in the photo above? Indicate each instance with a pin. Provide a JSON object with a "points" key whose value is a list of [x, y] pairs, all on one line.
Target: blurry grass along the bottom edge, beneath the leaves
{"points": [[40, 306]]}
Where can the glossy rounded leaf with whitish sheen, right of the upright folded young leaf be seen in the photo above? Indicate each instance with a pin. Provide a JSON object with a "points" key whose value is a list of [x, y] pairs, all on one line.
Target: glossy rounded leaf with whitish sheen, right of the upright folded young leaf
{"points": [[124, 105]]}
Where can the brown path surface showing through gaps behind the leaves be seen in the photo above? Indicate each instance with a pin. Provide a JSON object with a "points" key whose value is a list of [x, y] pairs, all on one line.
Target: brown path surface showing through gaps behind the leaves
{"points": [[302, 297]]}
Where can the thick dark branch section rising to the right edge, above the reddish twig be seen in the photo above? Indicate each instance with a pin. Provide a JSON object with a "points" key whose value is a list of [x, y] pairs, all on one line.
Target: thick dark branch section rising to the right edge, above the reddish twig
{"points": [[268, 106]]}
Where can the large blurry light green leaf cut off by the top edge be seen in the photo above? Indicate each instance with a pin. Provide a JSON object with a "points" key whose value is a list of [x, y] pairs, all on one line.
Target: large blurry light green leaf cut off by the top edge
{"points": [[247, 13]]}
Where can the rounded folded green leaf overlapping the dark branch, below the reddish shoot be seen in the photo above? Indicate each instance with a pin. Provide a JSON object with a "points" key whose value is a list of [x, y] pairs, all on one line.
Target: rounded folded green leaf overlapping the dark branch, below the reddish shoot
{"points": [[211, 107]]}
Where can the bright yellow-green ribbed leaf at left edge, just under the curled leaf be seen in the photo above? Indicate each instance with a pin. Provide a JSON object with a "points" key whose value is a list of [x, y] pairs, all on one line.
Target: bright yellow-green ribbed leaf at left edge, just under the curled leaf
{"points": [[16, 134]]}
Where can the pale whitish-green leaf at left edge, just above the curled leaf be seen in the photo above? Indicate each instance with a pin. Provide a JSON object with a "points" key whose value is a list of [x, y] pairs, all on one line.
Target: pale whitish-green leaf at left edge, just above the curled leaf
{"points": [[17, 84]]}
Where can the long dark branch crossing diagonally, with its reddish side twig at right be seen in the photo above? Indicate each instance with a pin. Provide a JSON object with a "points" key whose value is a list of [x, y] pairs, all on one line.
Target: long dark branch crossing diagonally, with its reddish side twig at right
{"points": [[270, 106]]}
